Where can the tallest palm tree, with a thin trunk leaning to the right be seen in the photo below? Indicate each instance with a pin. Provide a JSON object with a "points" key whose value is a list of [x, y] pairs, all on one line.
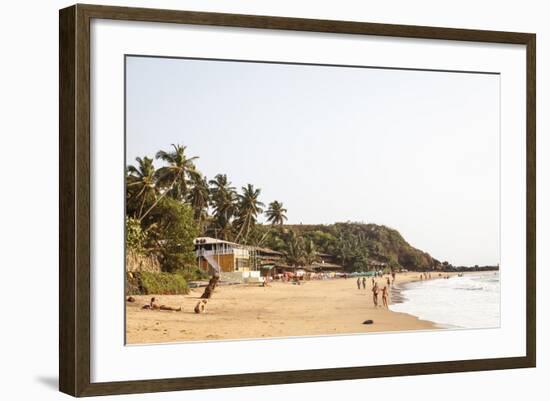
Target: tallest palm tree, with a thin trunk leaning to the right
{"points": [[173, 178]]}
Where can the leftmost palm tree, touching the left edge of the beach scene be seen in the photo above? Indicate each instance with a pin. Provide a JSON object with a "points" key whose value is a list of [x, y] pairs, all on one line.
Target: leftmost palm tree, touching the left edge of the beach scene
{"points": [[141, 183]]}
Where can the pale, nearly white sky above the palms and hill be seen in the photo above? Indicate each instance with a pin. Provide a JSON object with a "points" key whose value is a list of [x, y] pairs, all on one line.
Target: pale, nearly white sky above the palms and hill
{"points": [[417, 151]]}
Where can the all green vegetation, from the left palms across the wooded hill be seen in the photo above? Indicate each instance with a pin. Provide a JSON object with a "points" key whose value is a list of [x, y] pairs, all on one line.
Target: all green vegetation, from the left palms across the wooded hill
{"points": [[169, 206]]}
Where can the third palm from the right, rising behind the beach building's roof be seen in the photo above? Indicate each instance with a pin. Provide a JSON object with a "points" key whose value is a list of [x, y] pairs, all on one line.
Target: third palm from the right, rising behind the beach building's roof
{"points": [[224, 202]]}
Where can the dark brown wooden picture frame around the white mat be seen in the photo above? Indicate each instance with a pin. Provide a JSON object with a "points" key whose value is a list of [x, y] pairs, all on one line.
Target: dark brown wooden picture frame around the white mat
{"points": [[74, 199]]}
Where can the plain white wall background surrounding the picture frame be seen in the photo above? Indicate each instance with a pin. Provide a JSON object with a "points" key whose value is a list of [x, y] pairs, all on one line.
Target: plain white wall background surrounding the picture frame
{"points": [[29, 184]]}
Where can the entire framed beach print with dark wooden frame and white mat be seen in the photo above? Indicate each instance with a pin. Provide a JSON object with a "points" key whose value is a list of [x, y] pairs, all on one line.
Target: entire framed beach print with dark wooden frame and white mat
{"points": [[250, 200]]}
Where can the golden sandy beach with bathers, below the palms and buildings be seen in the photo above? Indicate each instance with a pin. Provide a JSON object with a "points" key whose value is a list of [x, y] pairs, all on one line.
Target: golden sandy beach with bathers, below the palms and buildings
{"points": [[317, 307]]}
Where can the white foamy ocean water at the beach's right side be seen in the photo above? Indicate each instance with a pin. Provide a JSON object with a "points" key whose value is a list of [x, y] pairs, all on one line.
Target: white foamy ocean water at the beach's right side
{"points": [[471, 301]]}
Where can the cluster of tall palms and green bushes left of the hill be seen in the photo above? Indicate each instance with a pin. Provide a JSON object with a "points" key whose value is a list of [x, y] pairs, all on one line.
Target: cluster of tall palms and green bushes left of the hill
{"points": [[169, 206]]}
